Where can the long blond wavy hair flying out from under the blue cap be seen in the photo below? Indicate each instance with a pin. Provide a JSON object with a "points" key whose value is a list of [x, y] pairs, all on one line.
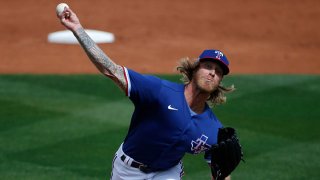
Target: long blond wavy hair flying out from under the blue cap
{"points": [[187, 67]]}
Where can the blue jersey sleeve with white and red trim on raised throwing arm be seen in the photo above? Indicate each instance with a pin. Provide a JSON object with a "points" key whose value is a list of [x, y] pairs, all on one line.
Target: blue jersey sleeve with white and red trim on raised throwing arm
{"points": [[141, 89]]}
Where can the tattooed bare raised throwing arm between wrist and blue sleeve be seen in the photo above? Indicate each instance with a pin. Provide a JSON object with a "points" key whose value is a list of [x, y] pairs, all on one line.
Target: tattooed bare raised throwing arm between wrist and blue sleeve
{"points": [[103, 63]]}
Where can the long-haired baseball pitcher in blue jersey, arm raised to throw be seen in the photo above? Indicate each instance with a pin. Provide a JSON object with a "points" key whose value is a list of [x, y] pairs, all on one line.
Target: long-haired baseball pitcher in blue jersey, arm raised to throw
{"points": [[169, 119]]}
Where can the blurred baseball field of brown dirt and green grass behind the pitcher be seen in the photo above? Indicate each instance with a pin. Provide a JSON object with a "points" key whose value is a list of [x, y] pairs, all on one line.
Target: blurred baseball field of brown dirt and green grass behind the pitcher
{"points": [[60, 119]]}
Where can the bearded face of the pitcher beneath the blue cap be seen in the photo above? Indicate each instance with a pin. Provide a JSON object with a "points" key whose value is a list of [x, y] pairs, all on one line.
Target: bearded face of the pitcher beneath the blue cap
{"points": [[208, 76]]}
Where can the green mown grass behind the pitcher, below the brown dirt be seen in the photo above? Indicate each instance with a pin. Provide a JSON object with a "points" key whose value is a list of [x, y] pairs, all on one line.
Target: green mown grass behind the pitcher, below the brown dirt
{"points": [[69, 126]]}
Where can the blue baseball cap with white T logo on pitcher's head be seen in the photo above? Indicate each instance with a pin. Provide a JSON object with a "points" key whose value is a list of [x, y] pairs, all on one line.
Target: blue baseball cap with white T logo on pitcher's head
{"points": [[217, 56]]}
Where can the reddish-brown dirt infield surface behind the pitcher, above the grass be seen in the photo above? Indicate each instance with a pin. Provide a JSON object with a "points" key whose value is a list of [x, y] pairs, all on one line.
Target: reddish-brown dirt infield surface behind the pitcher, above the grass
{"points": [[258, 36]]}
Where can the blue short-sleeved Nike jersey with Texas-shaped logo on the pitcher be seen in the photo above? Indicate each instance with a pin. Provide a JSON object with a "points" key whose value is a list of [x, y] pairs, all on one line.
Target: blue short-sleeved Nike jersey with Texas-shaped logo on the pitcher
{"points": [[162, 128]]}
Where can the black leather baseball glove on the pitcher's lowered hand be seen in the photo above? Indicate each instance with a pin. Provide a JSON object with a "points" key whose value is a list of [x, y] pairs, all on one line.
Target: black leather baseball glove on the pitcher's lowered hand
{"points": [[226, 154]]}
